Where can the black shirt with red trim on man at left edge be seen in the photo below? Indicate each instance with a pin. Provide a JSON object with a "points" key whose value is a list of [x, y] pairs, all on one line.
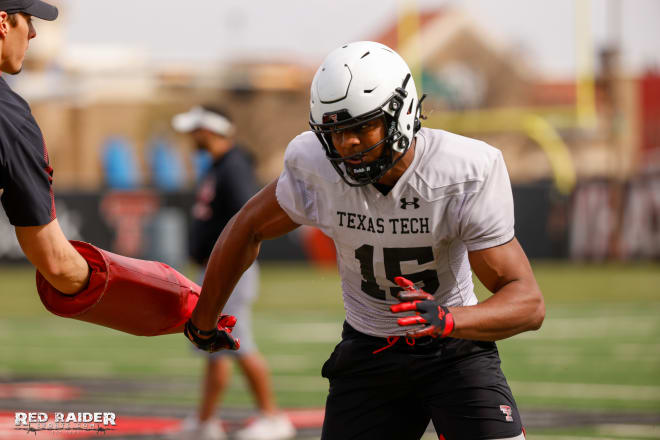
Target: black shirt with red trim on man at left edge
{"points": [[25, 173]]}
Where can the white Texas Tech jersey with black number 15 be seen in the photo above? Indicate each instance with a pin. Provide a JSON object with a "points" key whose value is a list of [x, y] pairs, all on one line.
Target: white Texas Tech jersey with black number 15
{"points": [[454, 197]]}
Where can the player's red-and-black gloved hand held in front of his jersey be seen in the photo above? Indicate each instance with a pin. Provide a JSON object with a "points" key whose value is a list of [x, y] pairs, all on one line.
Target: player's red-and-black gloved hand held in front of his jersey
{"points": [[440, 321]]}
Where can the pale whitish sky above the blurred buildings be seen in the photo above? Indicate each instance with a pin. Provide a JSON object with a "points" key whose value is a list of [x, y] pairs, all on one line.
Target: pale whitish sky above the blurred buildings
{"points": [[211, 31]]}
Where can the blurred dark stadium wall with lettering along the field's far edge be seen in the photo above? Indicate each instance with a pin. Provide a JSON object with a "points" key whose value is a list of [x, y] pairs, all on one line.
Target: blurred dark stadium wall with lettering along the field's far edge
{"points": [[602, 219]]}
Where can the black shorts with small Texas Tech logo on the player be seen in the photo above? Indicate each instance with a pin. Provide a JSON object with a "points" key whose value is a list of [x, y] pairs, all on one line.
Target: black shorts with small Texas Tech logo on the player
{"points": [[394, 393]]}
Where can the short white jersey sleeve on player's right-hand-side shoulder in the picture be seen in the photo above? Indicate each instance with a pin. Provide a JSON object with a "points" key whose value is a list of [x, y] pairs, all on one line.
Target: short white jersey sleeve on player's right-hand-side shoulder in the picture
{"points": [[487, 218]]}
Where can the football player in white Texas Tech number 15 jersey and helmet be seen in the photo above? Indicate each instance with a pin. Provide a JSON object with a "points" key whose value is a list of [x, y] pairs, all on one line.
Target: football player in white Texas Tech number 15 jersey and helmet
{"points": [[413, 212]]}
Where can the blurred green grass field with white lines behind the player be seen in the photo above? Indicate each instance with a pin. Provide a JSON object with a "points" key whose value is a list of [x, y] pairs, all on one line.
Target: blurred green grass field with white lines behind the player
{"points": [[598, 350]]}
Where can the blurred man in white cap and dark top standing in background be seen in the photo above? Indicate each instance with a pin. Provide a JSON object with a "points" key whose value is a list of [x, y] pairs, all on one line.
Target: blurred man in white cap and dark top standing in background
{"points": [[222, 192]]}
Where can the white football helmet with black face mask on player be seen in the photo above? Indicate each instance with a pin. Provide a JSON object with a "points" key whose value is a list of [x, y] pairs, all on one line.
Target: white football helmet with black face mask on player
{"points": [[357, 83]]}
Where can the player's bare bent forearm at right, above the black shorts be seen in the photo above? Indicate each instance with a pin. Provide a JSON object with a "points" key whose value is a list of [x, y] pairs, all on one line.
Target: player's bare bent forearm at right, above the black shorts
{"points": [[515, 308]]}
